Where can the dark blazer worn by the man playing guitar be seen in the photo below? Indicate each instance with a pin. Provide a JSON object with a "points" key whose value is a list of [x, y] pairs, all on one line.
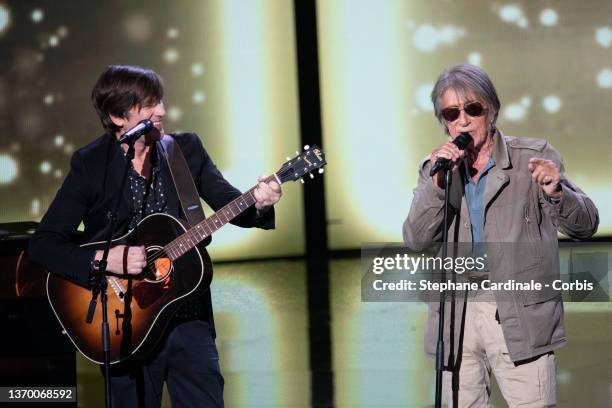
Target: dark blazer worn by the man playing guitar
{"points": [[88, 194]]}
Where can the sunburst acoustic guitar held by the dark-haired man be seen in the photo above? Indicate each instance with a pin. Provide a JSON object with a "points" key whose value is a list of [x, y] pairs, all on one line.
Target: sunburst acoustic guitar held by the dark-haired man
{"points": [[139, 309]]}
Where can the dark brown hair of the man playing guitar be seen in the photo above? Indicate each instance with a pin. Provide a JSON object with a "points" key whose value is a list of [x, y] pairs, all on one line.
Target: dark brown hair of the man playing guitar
{"points": [[122, 87]]}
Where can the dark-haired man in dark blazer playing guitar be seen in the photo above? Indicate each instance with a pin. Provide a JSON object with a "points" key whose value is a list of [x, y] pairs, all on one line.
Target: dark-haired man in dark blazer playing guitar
{"points": [[186, 355]]}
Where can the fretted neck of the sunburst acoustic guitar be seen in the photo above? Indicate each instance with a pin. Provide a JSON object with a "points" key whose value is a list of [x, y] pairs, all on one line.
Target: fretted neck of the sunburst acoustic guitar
{"points": [[207, 227]]}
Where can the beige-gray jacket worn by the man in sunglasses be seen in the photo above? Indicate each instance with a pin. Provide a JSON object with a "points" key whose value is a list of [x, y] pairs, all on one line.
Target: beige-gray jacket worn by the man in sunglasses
{"points": [[516, 211]]}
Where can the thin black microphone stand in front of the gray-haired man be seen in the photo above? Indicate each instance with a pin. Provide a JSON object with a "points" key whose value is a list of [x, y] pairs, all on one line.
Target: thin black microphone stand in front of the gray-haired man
{"points": [[440, 343]]}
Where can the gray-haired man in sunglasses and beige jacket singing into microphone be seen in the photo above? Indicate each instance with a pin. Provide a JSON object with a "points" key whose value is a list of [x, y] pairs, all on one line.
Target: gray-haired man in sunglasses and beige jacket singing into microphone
{"points": [[505, 189]]}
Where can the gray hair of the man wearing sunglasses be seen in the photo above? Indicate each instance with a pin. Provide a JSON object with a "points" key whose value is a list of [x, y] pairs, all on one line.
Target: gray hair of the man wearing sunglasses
{"points": [[465, 79]]}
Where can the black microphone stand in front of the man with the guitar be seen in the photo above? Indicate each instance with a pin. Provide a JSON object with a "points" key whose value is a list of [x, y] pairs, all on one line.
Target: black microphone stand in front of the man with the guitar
{"points": [[99, 283]]}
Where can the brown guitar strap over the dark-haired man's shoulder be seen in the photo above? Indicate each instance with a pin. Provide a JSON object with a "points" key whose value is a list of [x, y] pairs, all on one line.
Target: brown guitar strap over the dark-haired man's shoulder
{"points": [[183, 181]]}
